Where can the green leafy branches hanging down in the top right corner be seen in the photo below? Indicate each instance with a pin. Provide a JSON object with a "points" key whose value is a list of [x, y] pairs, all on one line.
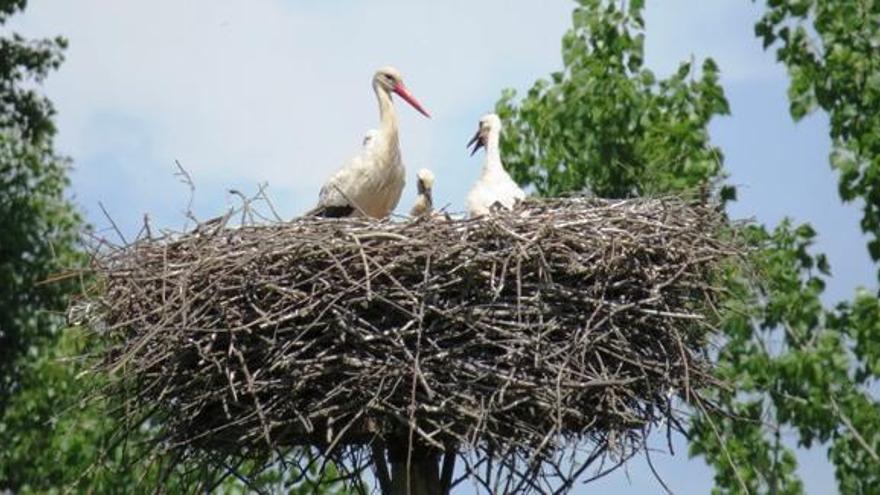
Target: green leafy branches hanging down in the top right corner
{"points": [[837, 70]]}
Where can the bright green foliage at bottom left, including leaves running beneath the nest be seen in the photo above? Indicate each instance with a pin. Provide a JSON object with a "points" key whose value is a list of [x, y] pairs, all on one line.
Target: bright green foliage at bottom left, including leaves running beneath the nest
{"points": [[57, 440]]}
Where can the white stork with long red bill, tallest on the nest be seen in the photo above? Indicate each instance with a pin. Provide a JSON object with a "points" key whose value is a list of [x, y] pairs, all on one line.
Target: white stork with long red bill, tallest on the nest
{"points": [[371, 183]]}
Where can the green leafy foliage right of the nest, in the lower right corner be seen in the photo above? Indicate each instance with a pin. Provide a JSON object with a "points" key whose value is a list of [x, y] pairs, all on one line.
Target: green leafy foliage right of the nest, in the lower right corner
{"points": [[793, 366]]}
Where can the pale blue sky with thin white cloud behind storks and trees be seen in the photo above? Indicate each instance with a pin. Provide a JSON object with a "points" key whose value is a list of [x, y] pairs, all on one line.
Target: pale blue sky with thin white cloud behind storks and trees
{"points": [[278, 91]]}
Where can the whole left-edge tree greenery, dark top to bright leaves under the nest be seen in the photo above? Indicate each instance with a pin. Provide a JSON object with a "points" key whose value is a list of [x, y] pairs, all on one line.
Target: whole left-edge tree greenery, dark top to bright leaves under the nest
{"points": [[53, 438]]}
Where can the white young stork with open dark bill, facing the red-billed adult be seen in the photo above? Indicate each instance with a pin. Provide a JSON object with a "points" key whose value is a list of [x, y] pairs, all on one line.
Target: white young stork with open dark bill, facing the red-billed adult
{"points": [[494, 188]]}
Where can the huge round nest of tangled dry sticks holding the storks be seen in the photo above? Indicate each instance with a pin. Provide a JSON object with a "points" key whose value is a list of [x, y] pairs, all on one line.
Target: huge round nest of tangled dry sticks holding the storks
{"points": [[567, 324]]}
